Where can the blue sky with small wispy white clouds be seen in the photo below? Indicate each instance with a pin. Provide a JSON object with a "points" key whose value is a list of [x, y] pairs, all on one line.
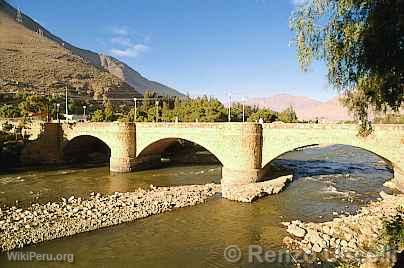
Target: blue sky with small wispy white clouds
{"points": [[212, 47]]}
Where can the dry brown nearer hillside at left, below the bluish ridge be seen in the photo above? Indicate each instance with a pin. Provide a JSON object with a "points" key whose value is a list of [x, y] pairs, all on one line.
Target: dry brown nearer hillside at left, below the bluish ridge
{"points": [[33, 63]]}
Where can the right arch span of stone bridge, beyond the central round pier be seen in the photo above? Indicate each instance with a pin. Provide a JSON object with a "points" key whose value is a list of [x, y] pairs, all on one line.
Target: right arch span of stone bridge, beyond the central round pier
{"points": [[387, 141]]}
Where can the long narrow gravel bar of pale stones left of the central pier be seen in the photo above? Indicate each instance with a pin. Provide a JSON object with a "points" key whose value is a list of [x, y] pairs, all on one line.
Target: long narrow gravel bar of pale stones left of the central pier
{"points": [[42, 222]]}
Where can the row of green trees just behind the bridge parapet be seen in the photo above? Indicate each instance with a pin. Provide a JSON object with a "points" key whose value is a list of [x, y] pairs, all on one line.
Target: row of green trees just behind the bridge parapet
{"points": [[201, 109]]}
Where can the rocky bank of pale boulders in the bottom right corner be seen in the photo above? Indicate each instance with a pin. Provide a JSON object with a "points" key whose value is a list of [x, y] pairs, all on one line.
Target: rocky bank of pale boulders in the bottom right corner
{"points": [[354, 239]]}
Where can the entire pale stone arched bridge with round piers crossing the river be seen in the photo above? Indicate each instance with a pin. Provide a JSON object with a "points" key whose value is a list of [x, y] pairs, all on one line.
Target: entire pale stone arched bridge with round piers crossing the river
{"points": [[244, 149]]}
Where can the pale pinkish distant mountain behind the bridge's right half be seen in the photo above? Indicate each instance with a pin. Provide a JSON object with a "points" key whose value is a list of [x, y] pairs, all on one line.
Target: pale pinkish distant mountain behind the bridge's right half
{"points": [[306, 108]]}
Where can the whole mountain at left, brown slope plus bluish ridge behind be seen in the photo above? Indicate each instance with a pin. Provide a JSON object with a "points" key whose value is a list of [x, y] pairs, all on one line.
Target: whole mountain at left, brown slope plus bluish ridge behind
{"points": [[26, 39]]}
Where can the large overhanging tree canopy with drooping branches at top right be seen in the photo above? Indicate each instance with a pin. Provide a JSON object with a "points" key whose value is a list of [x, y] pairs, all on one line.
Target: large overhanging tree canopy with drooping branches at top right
{"points": [[362, 43]]}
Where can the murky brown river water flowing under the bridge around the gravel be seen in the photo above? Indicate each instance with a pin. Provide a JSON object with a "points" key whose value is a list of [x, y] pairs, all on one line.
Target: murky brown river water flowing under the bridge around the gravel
{"points": [[328, 180]]}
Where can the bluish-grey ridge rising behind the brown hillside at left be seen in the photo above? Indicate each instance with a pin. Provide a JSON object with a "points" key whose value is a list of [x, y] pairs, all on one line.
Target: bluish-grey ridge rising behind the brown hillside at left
{"points": [[111, 64]]}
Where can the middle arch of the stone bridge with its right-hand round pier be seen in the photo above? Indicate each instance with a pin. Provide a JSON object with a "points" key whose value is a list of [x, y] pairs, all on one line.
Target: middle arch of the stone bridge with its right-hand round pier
{"points": [[236, 145]]}
